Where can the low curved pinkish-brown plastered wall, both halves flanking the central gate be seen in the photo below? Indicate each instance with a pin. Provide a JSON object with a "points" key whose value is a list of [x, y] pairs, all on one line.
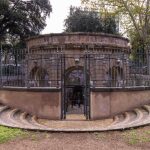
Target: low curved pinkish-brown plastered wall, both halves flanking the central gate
{"points": [[46, 103]]}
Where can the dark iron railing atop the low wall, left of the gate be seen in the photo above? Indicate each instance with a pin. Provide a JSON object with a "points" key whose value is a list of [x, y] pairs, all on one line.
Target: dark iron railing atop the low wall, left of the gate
{"points": [[26, 69]]}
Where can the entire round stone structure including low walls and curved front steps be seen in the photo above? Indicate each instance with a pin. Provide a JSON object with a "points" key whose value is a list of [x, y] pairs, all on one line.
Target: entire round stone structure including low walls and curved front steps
{"points": [[77, 76]]}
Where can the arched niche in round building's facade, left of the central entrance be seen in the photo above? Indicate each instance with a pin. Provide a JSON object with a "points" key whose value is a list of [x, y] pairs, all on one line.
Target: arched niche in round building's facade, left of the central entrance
{"points": [[39, 77]]}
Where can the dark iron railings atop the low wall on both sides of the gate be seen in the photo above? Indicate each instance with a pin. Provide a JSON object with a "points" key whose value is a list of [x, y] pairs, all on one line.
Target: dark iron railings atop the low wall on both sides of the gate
{"points": [[107, 68]]}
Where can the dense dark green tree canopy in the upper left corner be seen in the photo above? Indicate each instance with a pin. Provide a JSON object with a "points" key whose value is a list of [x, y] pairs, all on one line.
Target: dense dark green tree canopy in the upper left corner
{"points": [[23, 18]]}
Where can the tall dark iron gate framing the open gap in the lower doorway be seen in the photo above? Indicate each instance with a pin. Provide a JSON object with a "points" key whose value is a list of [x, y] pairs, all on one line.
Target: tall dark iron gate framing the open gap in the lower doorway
{"points": [[72, 64]]}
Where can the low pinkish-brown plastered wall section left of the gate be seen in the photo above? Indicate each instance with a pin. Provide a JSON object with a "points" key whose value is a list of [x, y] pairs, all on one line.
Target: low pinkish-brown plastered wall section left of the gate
{"points": [[45, 103]]}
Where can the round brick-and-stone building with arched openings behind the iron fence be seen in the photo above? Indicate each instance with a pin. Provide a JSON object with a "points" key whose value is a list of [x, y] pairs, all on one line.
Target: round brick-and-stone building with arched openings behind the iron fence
{"points": [[75, 63]]}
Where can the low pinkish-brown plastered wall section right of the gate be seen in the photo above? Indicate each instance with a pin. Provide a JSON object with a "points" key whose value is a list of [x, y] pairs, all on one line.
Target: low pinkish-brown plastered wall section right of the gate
{"points": [[109, 102]]}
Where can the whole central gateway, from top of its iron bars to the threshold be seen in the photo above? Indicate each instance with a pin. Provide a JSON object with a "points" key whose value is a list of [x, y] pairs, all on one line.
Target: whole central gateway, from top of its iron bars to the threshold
{"points": [[75, 88]]}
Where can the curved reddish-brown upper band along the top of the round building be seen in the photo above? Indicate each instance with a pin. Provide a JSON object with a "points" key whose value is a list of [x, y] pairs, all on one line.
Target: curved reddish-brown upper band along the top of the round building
{"points": [[78, 38]]}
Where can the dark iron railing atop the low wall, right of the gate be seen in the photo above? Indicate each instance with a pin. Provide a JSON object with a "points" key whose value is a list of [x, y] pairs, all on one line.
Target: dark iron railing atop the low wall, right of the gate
{"points": [[119, 69]]}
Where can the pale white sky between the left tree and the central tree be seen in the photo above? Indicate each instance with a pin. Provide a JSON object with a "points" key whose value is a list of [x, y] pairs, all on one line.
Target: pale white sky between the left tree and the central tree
{"points": [[60, 11]]}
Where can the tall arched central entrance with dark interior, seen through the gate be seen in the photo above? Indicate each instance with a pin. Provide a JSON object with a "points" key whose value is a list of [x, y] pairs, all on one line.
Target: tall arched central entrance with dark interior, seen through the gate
{"points": [[74, 90]]}
